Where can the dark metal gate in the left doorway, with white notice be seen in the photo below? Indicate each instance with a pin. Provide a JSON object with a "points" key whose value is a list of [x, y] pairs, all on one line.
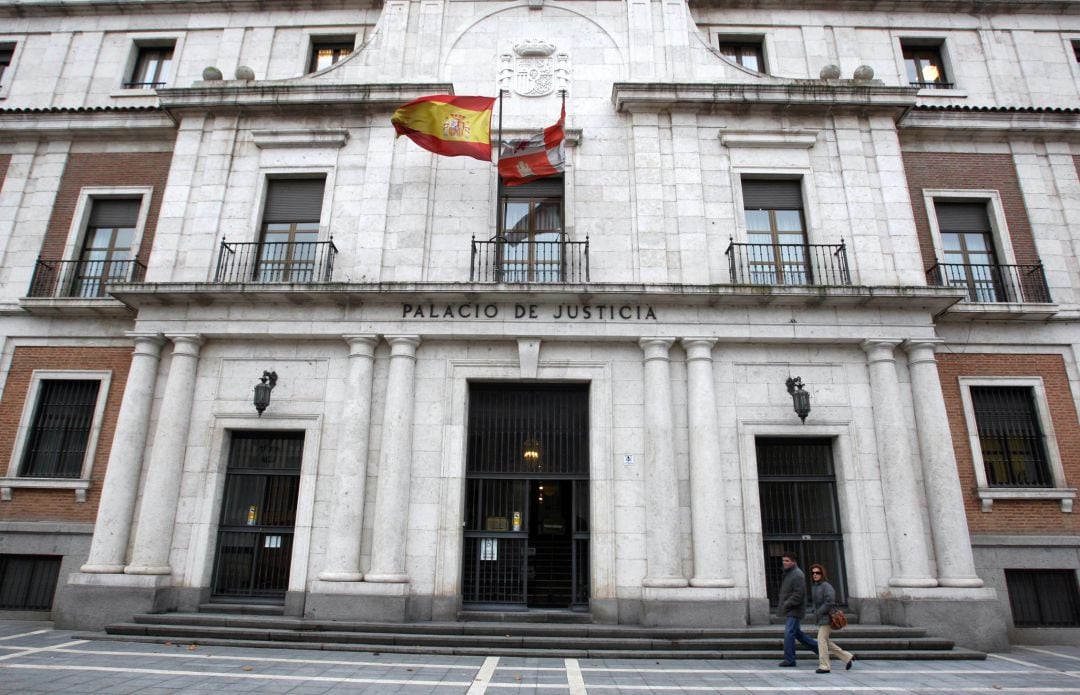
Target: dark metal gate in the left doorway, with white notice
{"points": [[259, 516]]}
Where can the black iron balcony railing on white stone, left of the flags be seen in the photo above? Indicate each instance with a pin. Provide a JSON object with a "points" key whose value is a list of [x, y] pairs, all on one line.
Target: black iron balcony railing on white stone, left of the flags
{"points": [[276, 263]]}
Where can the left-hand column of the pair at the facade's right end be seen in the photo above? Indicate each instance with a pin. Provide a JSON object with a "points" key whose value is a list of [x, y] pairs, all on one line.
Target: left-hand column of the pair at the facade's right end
{"points": [[908, 538]]}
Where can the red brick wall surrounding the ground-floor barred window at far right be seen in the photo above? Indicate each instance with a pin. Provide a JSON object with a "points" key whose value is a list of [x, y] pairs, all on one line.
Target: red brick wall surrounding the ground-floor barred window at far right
{"points": [[1015, 516]]}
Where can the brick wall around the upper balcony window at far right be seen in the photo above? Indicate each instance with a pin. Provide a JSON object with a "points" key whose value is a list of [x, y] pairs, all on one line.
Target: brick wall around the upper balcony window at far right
{"points": [[969, 171]]}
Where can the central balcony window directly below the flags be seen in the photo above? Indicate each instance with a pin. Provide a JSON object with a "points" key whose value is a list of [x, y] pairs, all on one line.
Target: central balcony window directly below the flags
{"points": [[531, 225]]}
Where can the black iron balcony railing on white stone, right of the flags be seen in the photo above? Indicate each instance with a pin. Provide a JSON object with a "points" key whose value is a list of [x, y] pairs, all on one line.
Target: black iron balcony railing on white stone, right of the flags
{"points": [[789, 265]]}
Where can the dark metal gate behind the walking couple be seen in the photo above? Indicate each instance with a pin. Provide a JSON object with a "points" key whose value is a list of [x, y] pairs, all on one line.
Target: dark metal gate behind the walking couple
{"points": [[800, 510]]}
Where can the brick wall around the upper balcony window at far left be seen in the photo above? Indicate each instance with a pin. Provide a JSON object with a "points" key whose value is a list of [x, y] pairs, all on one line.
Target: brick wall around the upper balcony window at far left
{"points": [[106, 169]]}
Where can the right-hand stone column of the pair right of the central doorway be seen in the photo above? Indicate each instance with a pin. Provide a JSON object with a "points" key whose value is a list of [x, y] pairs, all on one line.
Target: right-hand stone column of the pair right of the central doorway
{"points": [[708, 513]]}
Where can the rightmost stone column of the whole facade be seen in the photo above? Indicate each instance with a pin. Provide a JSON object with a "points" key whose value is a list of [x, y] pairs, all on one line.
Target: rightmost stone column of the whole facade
{"points": [[949, 523]]}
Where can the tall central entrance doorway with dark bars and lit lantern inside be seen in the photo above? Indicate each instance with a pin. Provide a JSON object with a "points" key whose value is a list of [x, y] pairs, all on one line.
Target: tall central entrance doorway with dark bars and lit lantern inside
{"points": [[526, 529]]}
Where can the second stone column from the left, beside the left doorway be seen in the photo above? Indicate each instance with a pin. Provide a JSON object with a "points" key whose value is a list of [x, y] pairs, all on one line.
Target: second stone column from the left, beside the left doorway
{"points": [[161, 490]]}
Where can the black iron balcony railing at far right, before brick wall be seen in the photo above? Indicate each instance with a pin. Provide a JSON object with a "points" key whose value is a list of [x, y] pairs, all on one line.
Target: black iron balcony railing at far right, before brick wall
{"points": [[992, 284]]}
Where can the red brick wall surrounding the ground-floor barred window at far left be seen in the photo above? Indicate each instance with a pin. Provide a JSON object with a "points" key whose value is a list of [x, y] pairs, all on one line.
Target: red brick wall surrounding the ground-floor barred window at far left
{"points": [[60, 506]]}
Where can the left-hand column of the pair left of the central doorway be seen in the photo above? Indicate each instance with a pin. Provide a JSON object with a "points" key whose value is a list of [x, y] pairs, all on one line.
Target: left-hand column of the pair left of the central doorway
{"points": [[350, 471]]}
